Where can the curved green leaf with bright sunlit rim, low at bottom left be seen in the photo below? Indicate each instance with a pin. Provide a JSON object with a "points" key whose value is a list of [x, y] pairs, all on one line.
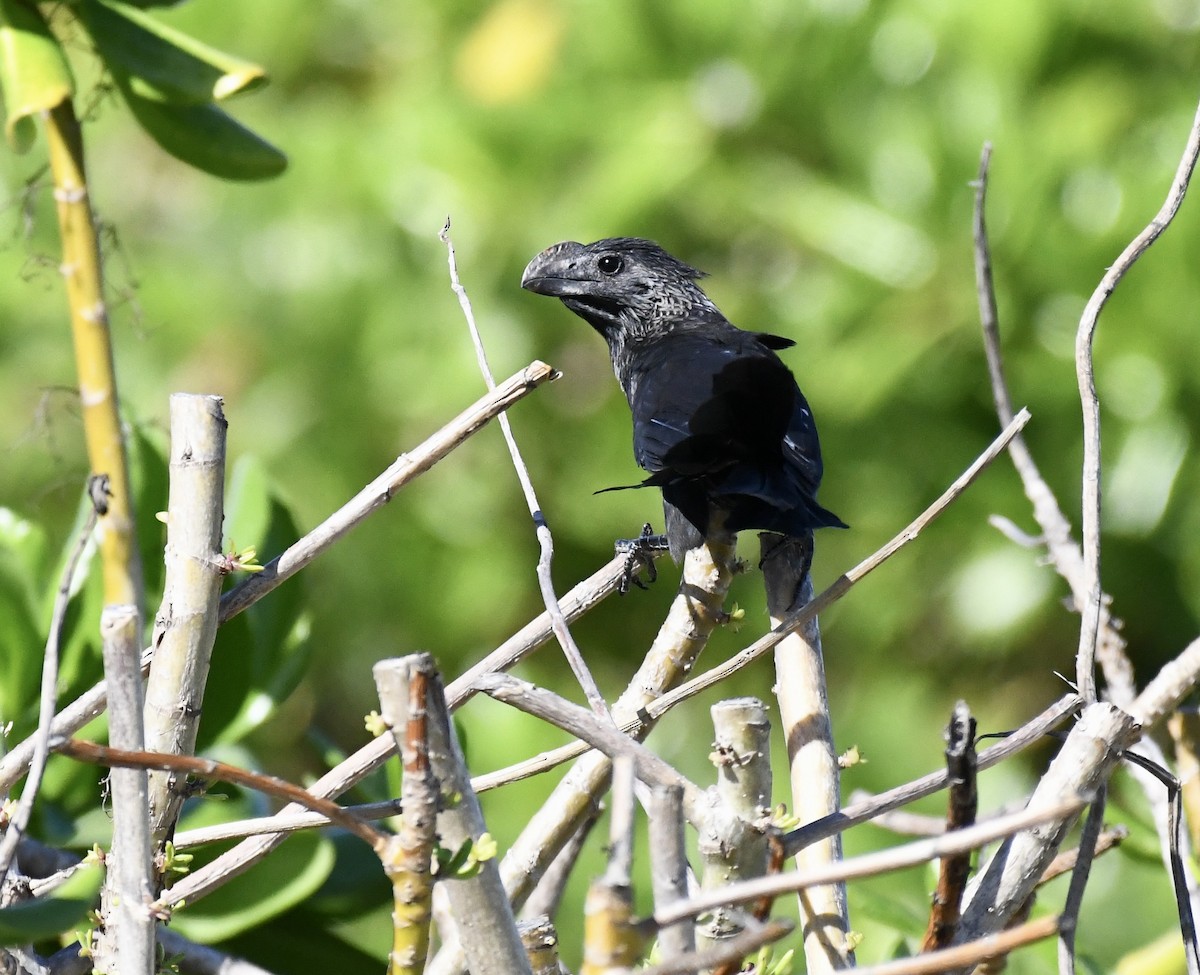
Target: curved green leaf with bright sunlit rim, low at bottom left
{"points": [[283, 881]]}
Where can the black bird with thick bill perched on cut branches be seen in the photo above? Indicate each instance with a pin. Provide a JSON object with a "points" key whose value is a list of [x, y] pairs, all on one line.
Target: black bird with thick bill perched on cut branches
{"points": [[719, 422]]}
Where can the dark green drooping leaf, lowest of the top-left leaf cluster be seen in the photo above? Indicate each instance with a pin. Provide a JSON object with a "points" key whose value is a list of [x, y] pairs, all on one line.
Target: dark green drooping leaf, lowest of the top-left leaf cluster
{"points": [[203, 136]]}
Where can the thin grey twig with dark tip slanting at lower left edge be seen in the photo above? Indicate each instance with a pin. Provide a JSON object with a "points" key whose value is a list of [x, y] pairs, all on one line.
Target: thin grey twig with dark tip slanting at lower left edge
{"points": [[41, 739]]}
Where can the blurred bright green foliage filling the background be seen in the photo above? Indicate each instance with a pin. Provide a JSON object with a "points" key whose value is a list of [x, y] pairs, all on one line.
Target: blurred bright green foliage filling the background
{"points": [[817, 159]]}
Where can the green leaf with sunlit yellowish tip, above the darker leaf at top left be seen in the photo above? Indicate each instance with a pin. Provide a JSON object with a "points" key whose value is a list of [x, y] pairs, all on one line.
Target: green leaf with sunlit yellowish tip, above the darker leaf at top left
{"points": [[165, 64]]}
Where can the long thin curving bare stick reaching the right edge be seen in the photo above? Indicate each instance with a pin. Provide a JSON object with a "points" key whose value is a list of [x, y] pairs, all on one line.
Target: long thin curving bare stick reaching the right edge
{"points": [[1089, 631]]}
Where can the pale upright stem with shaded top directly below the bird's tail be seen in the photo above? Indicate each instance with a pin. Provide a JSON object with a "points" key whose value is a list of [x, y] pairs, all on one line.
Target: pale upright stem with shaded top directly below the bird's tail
{"points": [[813, 761]]}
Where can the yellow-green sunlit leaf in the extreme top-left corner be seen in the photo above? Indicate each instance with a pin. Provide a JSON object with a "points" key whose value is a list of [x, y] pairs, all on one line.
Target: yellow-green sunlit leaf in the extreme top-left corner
{"points": [[34, 71]]}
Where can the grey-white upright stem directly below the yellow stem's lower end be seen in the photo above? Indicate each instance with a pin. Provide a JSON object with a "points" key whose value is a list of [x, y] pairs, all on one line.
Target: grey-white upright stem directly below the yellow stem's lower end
{"points": [[128, 943]]}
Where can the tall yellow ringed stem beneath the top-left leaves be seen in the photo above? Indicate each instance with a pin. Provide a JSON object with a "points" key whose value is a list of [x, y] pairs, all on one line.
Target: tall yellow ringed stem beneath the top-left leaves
{"points": [[81, 271]]}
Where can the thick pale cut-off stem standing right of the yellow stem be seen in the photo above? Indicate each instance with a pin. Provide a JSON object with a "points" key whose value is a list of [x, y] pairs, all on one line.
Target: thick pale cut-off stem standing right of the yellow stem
{"points": [[188, 620]]}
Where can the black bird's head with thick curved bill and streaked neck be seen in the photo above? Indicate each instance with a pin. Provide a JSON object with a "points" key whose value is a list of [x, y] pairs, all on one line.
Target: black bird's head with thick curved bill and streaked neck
{"points": [[620, 285]]}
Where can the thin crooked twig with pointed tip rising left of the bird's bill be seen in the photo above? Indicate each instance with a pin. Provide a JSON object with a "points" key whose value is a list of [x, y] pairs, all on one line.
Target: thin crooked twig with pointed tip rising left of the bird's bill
{"points": [[545, 540]]}
